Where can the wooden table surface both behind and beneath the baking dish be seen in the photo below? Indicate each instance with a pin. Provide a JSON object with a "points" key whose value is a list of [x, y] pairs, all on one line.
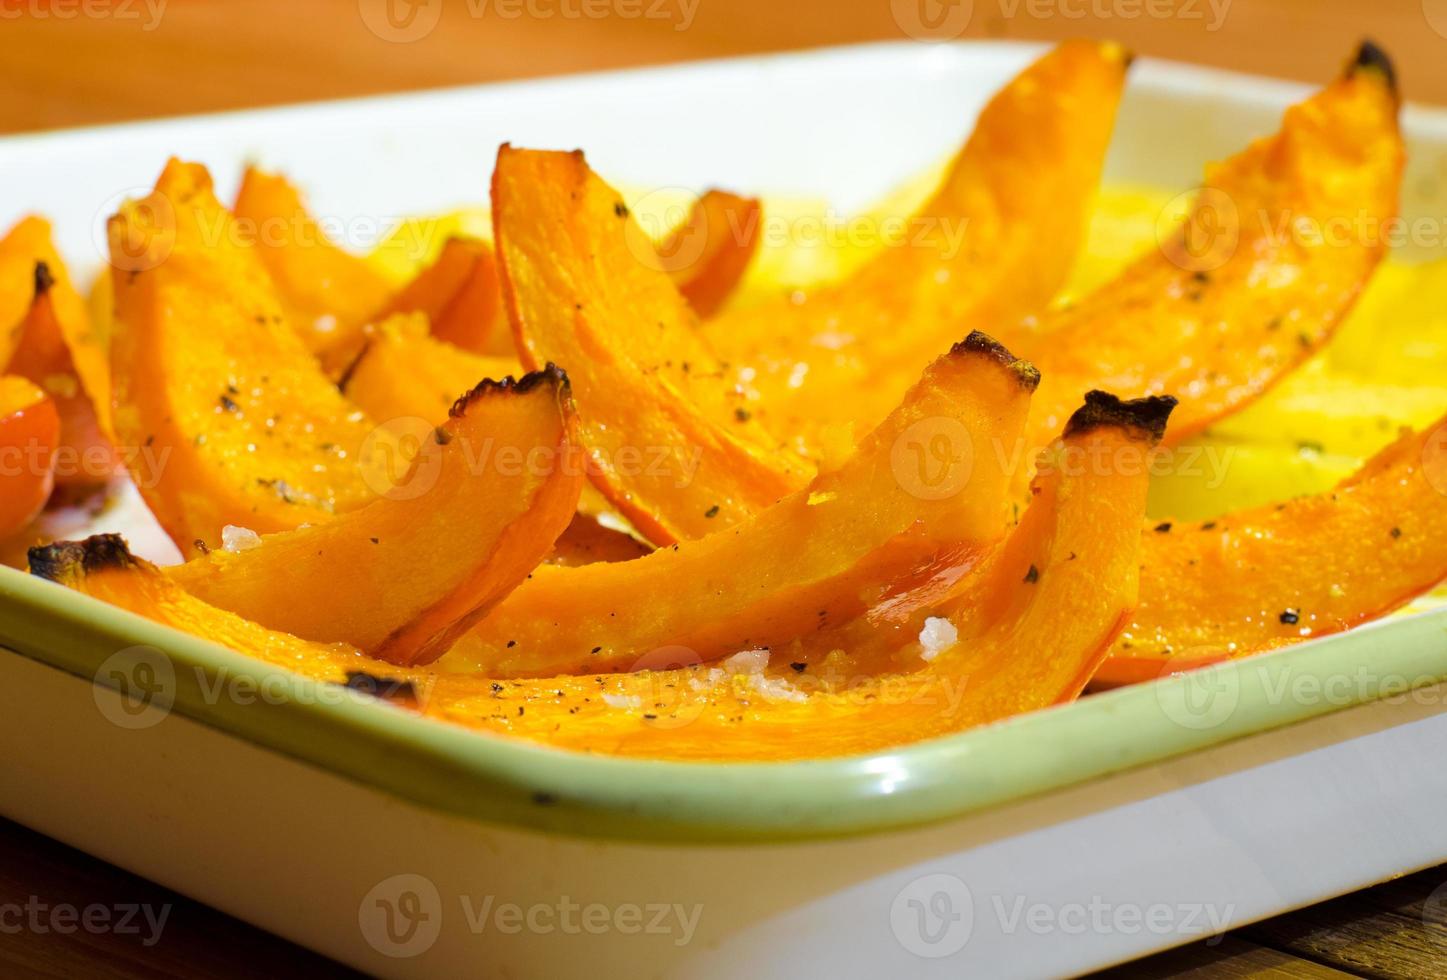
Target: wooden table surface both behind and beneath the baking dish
{"points": [[72, 63]]}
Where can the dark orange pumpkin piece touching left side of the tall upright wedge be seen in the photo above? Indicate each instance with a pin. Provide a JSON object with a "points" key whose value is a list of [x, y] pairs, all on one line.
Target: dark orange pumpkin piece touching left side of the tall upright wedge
{"points": [[461, 296]]}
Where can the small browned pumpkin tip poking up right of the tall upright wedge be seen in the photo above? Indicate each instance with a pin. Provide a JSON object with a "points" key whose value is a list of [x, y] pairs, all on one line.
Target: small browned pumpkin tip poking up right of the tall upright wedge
{"points": [[707, 255]]}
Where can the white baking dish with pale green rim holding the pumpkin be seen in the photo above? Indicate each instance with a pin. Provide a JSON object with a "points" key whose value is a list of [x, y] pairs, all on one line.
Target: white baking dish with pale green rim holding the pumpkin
{"points": [[1051, 845]]}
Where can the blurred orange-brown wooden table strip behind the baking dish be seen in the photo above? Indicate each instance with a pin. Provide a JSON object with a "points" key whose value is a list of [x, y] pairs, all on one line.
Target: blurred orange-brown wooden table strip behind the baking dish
{"points": [[167, 57]]}
